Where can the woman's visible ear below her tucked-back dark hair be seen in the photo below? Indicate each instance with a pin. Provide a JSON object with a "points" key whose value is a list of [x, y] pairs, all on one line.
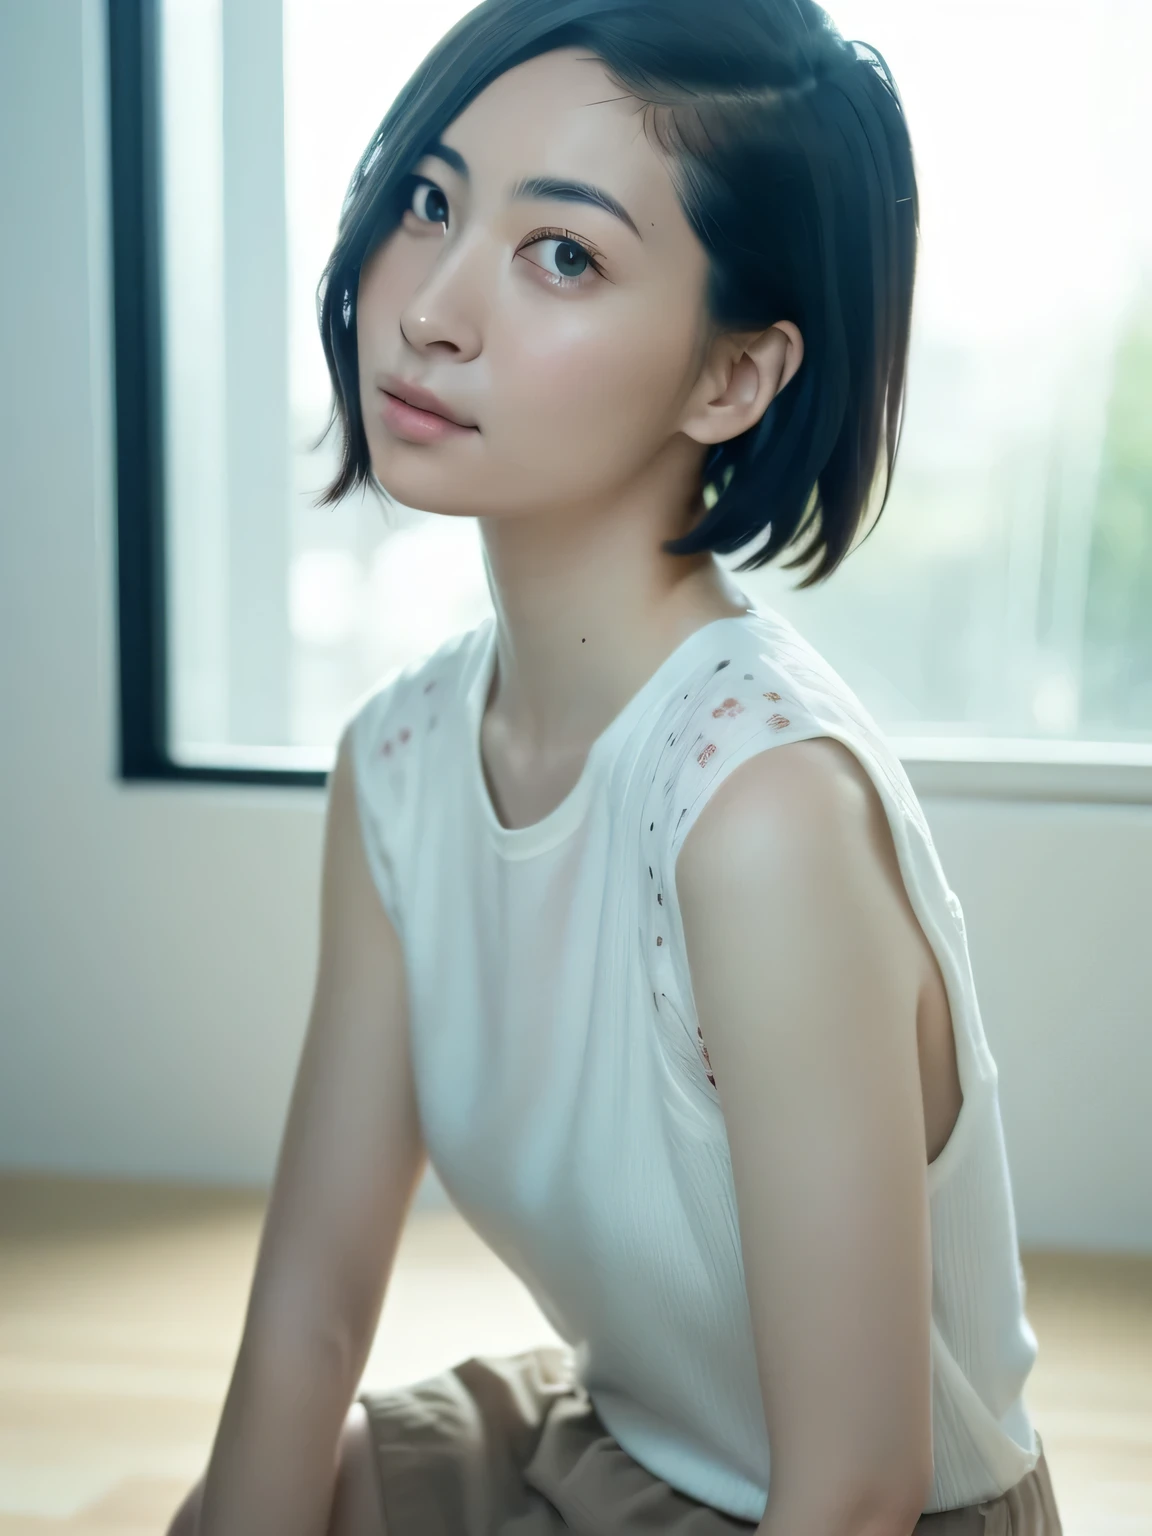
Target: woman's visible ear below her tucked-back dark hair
{"points": [[740, 382]]}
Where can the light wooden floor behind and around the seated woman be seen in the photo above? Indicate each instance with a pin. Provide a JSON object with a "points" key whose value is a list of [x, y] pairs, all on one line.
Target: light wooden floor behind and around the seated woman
{"points": [[121, 1314]]}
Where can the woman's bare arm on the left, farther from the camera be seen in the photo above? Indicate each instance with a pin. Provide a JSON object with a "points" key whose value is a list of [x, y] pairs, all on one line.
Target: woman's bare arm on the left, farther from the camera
{"points": [[349, 1164]]}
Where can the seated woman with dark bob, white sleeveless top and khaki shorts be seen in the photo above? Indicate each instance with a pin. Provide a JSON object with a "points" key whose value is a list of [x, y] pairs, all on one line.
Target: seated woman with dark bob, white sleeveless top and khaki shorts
{"points": [[632, 921]]}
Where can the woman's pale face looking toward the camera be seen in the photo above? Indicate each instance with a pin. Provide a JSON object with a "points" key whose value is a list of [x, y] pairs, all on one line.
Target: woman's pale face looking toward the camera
{"points": [[568, 333]]}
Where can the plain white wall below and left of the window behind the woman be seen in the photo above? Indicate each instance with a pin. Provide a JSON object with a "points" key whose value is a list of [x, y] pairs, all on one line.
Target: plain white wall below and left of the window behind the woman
{"points": [[157, 944]]}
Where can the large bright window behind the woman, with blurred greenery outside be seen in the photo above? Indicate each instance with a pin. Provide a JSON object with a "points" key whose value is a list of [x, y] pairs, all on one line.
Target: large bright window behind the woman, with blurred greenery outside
{"points": [[1001, 615]]}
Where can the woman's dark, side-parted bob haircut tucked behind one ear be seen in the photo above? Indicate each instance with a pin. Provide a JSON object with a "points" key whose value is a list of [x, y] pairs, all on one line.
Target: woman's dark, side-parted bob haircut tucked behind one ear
{"points": [[792, 159]]}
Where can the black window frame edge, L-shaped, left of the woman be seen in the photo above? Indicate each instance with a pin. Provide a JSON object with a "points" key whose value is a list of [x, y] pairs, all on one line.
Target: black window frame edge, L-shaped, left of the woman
{"points": [[139, 369]]}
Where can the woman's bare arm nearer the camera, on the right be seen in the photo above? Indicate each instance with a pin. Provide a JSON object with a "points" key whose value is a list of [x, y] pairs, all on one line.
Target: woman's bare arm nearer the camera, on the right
{"points": [[807, 965]]}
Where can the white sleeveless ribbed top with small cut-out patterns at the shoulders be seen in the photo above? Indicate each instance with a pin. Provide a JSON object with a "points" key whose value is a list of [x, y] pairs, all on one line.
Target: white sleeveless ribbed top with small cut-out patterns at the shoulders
{"points": [[564, 1094]]}
